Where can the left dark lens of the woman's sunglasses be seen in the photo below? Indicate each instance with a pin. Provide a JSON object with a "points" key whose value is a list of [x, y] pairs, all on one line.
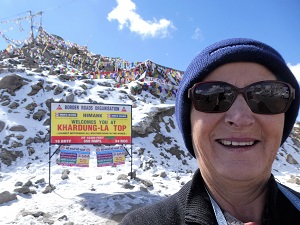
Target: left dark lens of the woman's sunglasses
{"points": [[213, 97]]}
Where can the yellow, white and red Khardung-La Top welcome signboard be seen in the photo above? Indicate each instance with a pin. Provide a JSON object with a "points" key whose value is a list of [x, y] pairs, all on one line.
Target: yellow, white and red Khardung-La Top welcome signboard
{"points": [[78, 123]]}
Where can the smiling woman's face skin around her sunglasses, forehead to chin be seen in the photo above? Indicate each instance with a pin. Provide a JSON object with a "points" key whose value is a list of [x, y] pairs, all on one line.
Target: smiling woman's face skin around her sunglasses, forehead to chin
{"points": [[239, 125]]}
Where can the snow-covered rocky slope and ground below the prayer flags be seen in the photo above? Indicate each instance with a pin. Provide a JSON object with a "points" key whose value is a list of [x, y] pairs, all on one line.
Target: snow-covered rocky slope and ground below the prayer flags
{"points": [[93, 195]]}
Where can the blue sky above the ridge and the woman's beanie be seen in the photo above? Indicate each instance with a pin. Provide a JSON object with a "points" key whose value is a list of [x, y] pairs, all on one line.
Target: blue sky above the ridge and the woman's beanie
{"points": [[168, 32]]}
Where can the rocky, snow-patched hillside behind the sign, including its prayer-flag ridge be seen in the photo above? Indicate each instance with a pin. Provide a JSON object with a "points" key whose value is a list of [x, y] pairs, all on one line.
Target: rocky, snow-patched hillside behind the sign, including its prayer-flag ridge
{"points": [[52, 70]]}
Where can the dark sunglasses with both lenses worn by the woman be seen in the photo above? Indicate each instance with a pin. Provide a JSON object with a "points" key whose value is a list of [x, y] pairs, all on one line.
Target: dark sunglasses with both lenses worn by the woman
{"points": [[264, 97]]}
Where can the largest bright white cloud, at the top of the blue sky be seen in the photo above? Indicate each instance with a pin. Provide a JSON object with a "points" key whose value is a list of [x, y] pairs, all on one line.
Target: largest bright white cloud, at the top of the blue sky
{"points": [[126, 15]]}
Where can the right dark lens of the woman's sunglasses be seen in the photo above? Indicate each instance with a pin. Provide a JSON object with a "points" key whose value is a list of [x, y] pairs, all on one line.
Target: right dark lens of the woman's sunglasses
{"points": [[268, 97]]}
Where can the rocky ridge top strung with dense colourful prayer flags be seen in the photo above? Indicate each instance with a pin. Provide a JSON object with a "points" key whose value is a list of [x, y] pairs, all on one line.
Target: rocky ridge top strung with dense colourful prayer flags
{"points": [[52, 55]]}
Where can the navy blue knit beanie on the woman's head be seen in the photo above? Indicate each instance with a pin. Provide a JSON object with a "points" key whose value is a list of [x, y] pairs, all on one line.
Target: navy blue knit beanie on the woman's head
{"points": [[226, 51]]}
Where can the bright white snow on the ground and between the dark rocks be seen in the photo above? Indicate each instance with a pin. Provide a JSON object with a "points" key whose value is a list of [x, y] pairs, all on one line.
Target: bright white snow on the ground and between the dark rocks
{"points": [[82, 198]]}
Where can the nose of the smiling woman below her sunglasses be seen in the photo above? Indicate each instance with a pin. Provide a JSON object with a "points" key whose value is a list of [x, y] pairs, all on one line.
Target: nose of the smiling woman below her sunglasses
{"points": [[239, 114]]}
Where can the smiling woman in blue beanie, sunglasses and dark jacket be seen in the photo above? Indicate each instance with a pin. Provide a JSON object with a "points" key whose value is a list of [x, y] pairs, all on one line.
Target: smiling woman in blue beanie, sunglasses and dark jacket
{"points": [[242, 101]]}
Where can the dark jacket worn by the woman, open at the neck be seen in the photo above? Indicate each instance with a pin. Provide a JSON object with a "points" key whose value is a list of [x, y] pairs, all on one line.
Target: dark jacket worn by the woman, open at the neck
{"points": [[191, 205]]}
